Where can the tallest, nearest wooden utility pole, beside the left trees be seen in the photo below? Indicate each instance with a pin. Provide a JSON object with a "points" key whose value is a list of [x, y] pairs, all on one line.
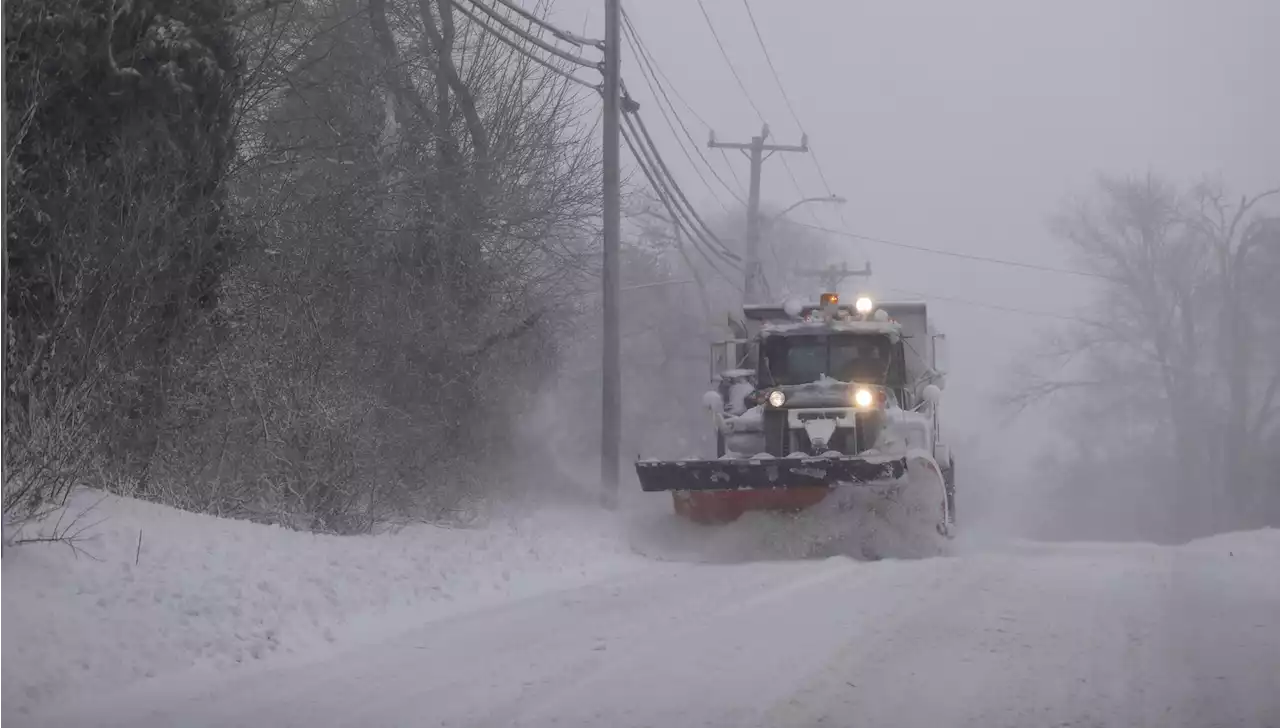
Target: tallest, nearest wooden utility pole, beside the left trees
{"points": [[611, 423]]}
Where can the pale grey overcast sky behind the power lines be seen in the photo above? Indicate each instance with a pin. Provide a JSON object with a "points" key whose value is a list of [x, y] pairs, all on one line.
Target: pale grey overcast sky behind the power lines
{"points": [[963, 126]]}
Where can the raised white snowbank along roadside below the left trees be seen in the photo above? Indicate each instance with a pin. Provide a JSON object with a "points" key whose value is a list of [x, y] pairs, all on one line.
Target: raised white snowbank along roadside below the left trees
{"points": [[213, 593]]}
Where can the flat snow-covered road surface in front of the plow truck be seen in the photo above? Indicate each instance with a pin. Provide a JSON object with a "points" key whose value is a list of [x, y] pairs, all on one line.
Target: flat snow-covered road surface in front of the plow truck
{"points": [[1089, 635]]}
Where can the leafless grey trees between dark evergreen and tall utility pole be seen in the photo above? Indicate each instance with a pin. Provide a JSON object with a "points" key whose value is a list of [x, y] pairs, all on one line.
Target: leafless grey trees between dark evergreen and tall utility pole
{"points": [[419, 200]]}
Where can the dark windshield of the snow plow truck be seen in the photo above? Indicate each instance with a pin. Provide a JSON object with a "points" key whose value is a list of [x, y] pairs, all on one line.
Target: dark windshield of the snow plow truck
{"points": [[801, 360]]}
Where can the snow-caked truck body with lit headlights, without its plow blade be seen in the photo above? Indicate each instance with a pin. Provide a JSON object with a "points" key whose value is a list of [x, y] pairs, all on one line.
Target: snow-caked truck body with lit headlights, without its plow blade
{"points": [[798, 370]]}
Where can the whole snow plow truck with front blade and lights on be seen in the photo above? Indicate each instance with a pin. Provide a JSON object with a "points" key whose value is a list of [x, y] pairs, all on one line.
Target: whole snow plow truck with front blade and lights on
{"points": [[812, 397]]}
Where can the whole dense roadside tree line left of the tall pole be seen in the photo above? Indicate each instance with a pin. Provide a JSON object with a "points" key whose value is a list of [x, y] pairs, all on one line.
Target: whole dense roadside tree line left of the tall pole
{"points": [[303, 263]]}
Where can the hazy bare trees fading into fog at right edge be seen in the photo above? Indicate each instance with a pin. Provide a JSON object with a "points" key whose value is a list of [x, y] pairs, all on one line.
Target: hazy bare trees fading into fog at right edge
{"points": [[1169, 365]]}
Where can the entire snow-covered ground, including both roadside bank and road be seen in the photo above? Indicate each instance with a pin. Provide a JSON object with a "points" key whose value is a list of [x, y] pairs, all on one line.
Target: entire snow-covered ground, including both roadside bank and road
{"points": [[556, 621]]}
